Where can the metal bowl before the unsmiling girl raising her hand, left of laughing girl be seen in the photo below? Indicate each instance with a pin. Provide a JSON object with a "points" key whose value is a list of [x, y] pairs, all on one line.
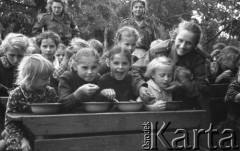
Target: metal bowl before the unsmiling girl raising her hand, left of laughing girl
{"points": [[97, 106]]}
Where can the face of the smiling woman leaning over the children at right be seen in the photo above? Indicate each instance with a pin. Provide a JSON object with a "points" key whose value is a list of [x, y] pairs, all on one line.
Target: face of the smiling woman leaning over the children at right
{"points": [[185, 42]]}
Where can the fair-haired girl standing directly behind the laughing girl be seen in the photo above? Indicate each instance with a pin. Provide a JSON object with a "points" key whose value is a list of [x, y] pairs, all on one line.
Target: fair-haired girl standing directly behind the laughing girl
{"points": [[126, 37]]}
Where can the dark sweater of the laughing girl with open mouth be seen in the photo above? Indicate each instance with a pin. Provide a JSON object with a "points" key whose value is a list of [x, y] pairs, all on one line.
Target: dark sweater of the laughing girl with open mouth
{"points": [[122, 88]]}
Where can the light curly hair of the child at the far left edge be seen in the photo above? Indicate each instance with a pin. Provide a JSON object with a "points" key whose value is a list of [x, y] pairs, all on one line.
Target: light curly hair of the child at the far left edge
{"points": [[15, 41]]}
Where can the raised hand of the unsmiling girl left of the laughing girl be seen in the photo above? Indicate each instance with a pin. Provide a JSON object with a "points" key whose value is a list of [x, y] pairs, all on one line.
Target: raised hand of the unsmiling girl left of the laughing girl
{"points": [[88, 89]]}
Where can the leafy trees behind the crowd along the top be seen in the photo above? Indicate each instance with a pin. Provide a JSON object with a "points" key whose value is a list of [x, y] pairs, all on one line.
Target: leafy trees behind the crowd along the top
{"points": [[100, 18]]}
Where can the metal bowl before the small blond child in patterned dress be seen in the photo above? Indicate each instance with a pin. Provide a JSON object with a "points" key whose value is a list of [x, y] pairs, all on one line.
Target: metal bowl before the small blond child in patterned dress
{"points": [[45, 108]]}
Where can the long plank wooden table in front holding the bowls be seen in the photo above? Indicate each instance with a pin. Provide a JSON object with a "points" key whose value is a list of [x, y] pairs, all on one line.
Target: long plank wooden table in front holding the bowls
{"points": [[111, 131]]}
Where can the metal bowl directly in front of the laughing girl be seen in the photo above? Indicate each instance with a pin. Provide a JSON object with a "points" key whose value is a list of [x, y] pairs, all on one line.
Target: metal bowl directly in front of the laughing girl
{"points": [[129, 106]]}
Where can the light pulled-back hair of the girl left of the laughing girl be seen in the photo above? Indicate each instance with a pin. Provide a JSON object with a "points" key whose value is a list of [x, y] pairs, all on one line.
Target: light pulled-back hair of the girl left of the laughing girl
{"points": [[85, 52]]}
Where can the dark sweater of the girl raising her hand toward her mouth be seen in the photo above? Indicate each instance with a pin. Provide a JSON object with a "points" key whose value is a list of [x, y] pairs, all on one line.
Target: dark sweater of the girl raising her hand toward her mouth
{"points": [[69, 82]]}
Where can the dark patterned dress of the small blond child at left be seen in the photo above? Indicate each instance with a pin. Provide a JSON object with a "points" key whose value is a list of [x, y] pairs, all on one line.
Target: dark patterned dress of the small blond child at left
{"points": [[17, 101]]}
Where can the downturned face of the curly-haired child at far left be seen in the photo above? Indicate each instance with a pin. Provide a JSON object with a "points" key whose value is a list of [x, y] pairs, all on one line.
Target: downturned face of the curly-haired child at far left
{"points": [[14, 56]]}
